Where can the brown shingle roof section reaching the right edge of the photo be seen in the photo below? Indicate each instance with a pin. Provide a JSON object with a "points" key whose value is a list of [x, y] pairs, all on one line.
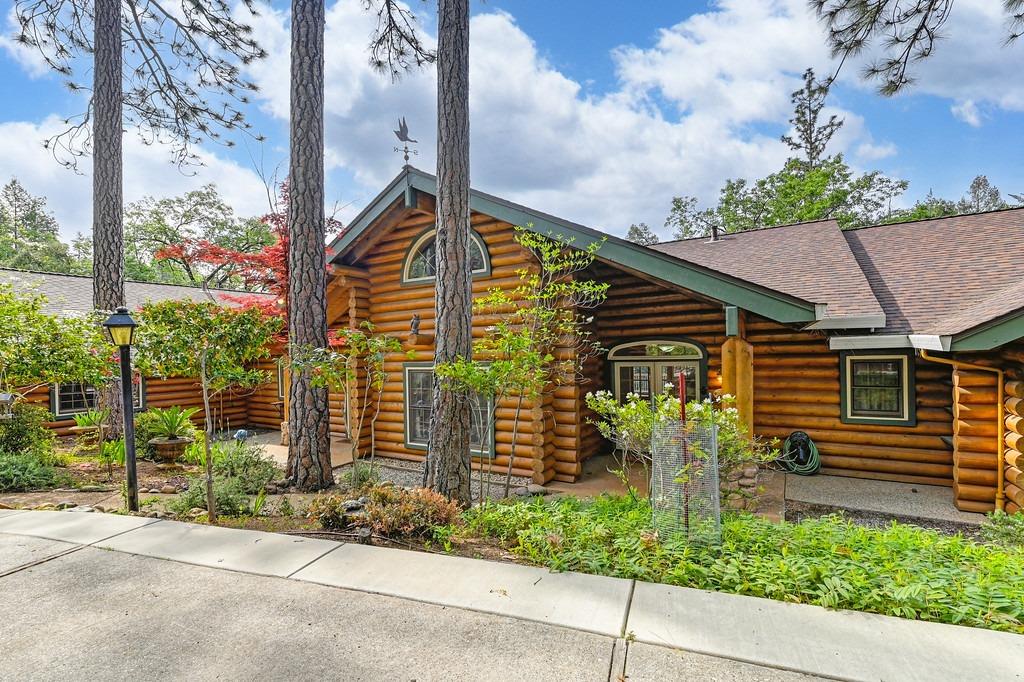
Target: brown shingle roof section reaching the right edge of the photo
{"points": [[945, 276]]}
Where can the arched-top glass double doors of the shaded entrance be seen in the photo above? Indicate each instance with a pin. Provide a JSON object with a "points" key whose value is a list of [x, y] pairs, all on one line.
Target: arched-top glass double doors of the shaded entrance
{"points": [[649, 368]]}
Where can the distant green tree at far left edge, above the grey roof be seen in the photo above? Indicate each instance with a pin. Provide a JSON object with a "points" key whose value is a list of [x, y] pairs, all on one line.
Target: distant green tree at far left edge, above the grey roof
{"points": [[29, 233]]}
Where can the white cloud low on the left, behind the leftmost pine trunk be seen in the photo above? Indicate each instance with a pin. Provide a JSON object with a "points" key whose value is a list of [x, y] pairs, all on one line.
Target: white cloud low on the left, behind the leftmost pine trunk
{"points": [[147, 172]]}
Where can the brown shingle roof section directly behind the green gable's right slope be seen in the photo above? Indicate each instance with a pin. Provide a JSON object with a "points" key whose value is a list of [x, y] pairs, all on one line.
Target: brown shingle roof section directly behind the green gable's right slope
{"points": [[810, 261]]}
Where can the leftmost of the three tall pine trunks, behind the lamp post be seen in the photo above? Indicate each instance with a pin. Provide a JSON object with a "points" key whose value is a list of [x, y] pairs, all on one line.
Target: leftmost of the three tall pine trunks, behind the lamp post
{"points": [[108, 232]]}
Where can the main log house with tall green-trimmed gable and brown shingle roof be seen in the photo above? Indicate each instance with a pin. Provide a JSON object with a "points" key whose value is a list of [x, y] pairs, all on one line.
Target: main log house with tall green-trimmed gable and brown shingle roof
{"points": [[899, 349]]}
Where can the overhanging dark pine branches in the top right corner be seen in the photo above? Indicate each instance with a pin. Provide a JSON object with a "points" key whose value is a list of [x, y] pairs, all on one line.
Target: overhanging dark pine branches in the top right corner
{"points": [[906, 32]]}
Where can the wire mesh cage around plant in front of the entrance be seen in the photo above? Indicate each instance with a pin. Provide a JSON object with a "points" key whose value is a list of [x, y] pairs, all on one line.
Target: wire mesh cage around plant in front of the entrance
{"points": [[685, 488]]}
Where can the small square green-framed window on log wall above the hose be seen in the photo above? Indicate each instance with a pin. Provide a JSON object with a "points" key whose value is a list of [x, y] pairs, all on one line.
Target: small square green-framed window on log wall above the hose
{"points": [[878, 389]]}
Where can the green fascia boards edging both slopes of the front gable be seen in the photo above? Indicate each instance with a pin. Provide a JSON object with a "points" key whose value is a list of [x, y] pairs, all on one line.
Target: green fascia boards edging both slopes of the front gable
{"points": [[760, 301]]}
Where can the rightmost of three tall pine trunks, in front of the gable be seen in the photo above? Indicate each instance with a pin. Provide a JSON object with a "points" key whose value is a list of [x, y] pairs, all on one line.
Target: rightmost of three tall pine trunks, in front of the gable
{"points": [[448, 467]]}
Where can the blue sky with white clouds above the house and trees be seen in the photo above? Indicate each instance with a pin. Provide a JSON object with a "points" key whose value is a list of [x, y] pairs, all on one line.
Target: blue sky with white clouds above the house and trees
{"points": [[598, 112]]}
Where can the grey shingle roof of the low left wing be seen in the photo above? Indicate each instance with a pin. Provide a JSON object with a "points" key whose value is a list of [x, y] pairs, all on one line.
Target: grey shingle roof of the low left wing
{"points": [[71, 294]]}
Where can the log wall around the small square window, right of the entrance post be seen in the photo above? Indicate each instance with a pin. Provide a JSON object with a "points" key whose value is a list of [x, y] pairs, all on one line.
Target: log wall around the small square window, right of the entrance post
{"points": [[797, 388]]}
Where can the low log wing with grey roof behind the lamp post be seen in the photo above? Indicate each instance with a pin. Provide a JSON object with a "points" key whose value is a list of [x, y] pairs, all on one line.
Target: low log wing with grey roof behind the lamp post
{"points": [[71, 294]]}
